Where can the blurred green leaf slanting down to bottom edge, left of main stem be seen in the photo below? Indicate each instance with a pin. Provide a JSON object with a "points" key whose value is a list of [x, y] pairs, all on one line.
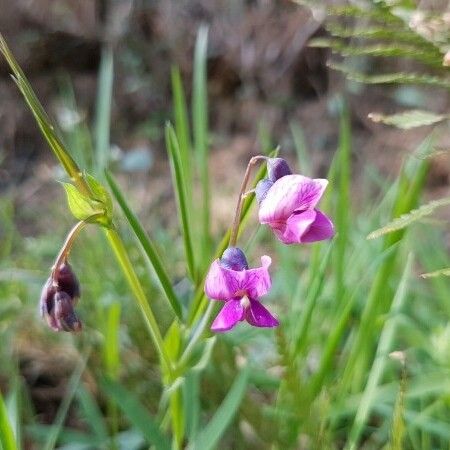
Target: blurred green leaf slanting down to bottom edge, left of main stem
{"points": [[136, 413]]}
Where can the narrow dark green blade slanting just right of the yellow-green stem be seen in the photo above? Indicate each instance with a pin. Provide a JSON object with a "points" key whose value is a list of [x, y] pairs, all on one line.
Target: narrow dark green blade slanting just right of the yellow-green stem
{"points": [[148, 246]]}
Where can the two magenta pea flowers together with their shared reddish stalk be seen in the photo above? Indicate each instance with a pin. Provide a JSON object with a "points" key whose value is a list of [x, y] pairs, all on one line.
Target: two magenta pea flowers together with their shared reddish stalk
{"points": [[287, 204]]}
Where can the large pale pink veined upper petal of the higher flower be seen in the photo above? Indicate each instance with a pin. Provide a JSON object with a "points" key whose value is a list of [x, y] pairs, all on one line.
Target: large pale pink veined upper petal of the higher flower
{"points": [[290, 193]]}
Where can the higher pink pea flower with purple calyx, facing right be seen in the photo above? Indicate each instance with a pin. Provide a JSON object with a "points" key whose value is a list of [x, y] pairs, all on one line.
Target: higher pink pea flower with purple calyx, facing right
{"points": [[288, 205]]}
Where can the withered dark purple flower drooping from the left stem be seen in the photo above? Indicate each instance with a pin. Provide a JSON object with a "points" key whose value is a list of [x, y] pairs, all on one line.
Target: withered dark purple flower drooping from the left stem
{"points": [[59, 295]]}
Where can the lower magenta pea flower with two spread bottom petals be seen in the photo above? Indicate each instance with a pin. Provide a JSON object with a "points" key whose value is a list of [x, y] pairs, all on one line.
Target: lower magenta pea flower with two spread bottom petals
{"points": [[231, 281]]}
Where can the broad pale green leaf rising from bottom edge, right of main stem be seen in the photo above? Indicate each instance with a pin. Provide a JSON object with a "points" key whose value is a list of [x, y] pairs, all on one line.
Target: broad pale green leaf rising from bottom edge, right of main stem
{"points": [[208, 438]]}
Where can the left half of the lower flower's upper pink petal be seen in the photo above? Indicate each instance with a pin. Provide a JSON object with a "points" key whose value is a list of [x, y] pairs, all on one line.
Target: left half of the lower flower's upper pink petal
{"points": [[221, 283]]}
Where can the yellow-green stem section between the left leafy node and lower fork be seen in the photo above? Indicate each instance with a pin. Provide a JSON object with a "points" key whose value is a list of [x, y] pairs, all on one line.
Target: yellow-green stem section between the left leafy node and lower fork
{"points": [[135, 285]]}
